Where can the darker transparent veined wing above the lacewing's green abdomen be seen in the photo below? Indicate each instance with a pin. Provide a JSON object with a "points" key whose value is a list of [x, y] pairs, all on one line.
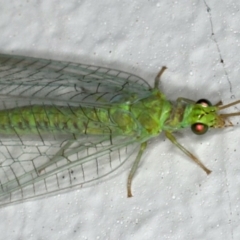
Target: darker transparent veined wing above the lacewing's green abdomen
{"points": [[54, 82]]}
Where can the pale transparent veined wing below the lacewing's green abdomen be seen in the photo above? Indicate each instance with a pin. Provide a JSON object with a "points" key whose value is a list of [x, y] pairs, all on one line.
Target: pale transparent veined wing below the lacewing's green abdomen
{"points": [[37, 169]]}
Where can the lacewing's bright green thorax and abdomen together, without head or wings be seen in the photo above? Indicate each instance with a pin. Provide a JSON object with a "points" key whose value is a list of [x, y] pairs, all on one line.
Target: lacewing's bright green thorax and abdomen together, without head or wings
{"points": [[144, 118]]}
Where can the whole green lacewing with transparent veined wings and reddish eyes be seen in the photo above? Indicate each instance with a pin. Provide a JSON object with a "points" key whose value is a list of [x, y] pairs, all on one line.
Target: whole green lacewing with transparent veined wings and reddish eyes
{"points": [[65, 124]]}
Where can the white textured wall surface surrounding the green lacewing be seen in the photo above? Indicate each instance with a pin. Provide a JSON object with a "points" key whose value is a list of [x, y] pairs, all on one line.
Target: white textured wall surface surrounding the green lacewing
{"points": [[173, 198]]}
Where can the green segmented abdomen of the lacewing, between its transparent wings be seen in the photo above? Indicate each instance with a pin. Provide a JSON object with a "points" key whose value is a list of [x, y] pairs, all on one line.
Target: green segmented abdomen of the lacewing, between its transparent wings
{"points": [[47, 119]]}
